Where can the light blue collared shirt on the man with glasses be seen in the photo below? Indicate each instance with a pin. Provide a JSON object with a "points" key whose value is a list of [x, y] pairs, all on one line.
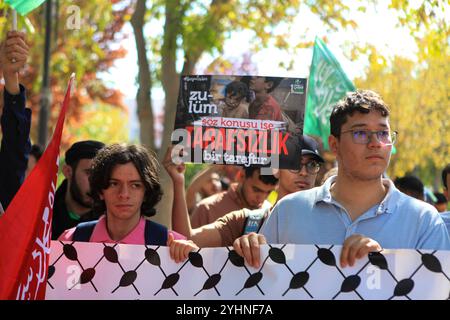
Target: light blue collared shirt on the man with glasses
{"points": [[314, 217]]}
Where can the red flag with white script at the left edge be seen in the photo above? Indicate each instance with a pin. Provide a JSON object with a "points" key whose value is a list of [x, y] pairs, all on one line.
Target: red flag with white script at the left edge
{"points": [[25, 228]]}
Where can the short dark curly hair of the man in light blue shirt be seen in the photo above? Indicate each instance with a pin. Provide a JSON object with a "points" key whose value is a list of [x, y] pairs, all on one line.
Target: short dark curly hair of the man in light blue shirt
{"points": [[362, 101]]}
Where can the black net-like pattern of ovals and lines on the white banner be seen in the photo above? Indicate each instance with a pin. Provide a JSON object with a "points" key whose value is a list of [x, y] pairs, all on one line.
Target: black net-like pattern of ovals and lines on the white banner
{"points": [[299, 279]]}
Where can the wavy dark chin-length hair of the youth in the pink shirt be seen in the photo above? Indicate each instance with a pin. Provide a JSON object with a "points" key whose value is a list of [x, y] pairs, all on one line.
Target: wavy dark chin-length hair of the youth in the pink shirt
{"points": [[145, 163]]}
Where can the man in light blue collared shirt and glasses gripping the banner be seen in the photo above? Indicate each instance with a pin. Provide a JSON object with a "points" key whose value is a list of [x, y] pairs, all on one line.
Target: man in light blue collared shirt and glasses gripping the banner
{"points": [[357, 208]]}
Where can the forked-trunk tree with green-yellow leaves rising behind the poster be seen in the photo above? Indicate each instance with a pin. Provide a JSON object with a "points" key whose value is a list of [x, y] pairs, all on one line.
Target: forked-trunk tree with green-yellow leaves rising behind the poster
{"points": [[192, 28]]}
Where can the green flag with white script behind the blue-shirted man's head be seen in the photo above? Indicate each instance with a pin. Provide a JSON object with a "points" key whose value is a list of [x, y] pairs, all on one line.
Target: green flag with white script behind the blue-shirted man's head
{"points": [[327, 84]]}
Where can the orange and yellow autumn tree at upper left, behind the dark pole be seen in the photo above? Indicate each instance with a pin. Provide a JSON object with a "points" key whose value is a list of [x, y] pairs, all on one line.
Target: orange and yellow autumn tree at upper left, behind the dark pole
{"points": [[86, 34]]}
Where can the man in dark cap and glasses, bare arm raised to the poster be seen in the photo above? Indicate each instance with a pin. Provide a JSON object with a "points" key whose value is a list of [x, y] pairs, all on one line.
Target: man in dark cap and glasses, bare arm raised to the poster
{"points": [[232, 225]]}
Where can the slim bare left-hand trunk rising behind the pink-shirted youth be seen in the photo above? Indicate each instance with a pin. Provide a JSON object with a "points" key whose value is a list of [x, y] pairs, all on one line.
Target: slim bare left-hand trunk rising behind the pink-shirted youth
{"points": [[143, 96]]}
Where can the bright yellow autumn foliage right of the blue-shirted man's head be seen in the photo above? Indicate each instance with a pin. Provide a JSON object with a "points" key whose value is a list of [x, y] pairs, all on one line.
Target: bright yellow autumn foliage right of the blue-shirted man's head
{"points": [[417, 92]]}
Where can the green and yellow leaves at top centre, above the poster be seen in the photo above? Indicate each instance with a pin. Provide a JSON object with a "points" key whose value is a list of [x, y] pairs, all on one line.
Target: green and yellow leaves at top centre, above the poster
{"points": [[199, 27]]}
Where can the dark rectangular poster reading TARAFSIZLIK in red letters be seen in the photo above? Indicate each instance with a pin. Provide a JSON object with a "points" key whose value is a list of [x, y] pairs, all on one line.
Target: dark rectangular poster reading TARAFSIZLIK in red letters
{"points": [[240, 120]]}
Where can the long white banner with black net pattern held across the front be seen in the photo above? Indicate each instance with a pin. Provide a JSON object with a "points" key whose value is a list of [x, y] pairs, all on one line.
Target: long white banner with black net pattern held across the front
{"points": [[107, 271]]}
